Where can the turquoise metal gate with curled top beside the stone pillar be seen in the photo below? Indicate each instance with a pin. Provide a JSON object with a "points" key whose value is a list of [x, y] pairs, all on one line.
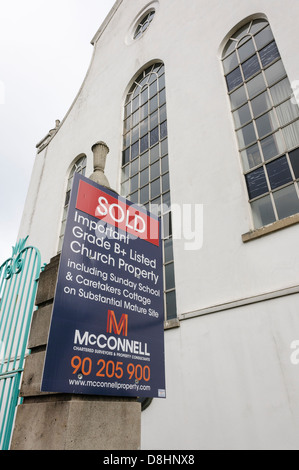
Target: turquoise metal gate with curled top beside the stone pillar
{"points": [[18, 283]]}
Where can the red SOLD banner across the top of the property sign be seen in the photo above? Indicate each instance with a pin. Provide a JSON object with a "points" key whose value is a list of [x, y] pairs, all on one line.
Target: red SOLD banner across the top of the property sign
{"points": [[115, 212]]}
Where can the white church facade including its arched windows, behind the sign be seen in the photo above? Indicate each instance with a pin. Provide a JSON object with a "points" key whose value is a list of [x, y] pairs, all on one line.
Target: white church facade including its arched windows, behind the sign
{"points": [[195, 101]]}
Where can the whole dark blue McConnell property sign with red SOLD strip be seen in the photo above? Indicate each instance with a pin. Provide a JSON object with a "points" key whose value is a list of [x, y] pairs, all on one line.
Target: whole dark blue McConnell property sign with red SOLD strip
{"points": [[106, 335]]}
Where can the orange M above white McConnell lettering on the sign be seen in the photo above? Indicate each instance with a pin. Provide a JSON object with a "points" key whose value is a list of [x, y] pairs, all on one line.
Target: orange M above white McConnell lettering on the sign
{"points": [[112, 343]]}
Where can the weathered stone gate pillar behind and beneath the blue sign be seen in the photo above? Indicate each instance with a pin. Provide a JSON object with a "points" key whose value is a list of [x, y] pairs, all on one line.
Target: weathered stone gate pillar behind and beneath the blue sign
{"points": [[51, 421]]}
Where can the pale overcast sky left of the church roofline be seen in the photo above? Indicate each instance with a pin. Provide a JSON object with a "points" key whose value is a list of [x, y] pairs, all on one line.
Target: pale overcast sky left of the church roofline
{"points": [[45, 52]]}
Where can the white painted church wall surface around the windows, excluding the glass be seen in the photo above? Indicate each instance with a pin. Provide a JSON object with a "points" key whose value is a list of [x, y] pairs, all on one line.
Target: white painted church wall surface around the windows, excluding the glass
{"points": [[229, 384]]}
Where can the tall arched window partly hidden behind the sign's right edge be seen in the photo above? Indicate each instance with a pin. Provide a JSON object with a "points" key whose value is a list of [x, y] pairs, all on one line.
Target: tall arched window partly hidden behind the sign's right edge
{"points": [[145, 171]]}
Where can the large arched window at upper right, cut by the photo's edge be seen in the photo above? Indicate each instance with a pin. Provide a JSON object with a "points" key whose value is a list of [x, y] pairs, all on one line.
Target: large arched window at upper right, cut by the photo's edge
{"points": [[266, 121]]}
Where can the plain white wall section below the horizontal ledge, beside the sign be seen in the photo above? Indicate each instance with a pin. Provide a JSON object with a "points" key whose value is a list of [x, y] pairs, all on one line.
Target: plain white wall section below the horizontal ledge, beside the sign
{"points": [[230, 382]]}
